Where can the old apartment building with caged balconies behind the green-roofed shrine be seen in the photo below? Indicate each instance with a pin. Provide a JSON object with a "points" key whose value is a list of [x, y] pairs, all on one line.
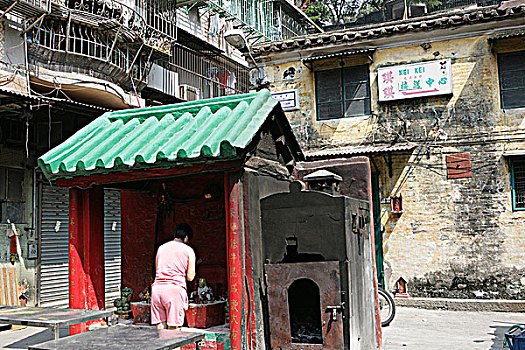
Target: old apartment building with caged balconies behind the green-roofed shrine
{"points": [[65, 62]]}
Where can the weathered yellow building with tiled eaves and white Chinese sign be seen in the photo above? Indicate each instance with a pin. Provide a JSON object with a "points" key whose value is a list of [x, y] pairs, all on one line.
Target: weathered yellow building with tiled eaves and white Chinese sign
{"points": [[436, 103]]}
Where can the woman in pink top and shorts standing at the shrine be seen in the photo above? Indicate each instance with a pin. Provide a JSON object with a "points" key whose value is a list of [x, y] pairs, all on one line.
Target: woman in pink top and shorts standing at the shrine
{"points": [[175, 263]]}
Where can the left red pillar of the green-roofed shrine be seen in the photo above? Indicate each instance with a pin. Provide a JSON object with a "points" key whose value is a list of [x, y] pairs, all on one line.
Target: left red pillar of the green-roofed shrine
{"points": [[86, 251]]}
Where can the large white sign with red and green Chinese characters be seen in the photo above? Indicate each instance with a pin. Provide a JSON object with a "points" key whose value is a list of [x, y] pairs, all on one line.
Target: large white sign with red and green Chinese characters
{"points": [[415, 80]]}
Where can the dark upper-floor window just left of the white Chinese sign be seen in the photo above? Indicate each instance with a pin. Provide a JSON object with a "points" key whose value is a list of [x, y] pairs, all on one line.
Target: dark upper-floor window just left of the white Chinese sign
{"points": [[343, 92]]}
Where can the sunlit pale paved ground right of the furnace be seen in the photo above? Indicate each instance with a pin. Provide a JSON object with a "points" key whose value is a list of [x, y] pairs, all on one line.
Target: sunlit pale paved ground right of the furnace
{"points": [[448, 330]]}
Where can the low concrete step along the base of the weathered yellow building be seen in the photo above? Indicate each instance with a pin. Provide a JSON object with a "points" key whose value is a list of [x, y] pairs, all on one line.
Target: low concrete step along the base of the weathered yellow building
{"points": [[462, 304]]}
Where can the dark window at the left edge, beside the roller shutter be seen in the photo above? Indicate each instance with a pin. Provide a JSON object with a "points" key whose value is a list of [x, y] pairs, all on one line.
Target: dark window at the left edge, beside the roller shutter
{"points": [[11, 195]]}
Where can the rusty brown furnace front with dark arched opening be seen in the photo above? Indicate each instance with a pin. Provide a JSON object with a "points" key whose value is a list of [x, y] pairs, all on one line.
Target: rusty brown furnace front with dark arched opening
{"points": [[304, 304]]}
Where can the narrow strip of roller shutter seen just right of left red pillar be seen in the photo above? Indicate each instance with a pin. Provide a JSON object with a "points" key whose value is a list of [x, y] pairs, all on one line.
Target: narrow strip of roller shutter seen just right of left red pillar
{"points": [[112, 232]]}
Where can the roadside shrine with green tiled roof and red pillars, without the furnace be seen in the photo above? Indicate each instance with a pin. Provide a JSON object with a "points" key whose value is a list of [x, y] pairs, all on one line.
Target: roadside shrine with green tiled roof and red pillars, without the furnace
{"points": [[204, 163]]}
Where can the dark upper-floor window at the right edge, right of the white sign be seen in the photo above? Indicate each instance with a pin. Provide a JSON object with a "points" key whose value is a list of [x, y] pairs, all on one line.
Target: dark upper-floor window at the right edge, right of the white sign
{"points": [[512, 79]]}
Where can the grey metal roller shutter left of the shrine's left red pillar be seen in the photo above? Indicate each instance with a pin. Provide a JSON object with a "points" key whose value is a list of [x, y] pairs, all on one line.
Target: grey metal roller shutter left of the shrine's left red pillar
{"points": [[54, 263]]}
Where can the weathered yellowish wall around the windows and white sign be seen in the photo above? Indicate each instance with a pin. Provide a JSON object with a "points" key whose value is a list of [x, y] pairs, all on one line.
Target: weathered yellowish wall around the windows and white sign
{"points": [[456, 237]]}
